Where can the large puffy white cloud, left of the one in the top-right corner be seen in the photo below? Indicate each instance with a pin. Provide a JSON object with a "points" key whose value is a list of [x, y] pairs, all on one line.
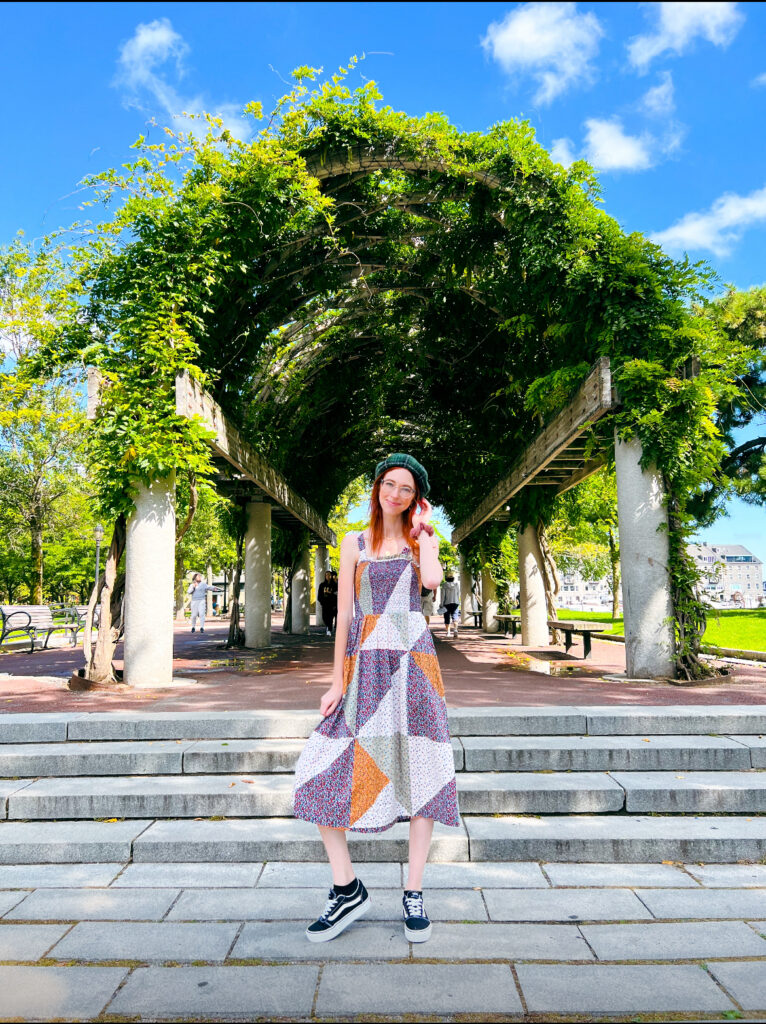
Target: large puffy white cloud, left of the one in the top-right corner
{"points": [[552, 42]]}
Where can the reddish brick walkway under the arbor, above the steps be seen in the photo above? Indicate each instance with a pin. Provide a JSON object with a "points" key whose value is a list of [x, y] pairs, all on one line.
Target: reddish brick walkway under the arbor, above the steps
{"points": [[479, 670]]}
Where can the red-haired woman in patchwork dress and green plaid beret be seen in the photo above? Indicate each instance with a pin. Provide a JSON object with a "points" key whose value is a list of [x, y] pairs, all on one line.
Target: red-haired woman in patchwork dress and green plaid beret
{"points": [[382, 753]]}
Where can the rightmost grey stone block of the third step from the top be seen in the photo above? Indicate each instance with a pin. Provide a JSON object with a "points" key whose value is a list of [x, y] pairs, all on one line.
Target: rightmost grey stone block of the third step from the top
{"points": [[677, 793]]}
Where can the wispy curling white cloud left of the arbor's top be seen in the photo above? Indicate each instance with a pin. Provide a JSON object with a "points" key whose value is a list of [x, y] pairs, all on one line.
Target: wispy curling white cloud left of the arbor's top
{"points": [[142, 69]]}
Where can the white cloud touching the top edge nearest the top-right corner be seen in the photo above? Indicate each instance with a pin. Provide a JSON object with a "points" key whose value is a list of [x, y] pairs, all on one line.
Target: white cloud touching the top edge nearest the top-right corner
{"points": [[678, 25]]}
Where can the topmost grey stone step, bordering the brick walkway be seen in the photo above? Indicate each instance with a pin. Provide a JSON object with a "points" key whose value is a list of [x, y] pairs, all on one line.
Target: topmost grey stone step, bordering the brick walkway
{"points": [[628, 720]]}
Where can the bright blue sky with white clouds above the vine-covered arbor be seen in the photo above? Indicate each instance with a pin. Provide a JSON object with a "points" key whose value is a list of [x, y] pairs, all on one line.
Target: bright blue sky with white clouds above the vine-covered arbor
{"points": [[667, 100]]}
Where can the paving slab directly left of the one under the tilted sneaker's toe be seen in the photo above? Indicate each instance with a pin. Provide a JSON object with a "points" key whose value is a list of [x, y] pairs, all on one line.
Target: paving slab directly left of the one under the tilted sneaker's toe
{"points": [[143, 942]]}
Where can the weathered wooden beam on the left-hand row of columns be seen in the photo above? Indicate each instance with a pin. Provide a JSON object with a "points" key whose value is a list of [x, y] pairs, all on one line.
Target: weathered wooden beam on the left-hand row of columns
{"points": [[193, 402]]}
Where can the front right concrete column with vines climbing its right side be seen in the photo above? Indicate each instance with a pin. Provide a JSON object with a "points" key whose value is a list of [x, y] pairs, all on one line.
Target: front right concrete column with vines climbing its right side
{"points": [[650, 643]]}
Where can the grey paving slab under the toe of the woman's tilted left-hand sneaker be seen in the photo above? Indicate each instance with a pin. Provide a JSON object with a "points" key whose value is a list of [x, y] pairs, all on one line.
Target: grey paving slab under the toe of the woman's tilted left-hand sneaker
{"points": [[287, 941]]}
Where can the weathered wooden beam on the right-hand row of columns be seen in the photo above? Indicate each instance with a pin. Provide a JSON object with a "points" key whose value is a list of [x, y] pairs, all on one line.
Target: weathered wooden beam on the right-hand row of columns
{"points": [[593, 401]]}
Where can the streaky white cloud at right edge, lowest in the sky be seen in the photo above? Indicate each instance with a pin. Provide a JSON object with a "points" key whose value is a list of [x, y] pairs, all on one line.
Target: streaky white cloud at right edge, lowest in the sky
{"points": [[718, 229]]}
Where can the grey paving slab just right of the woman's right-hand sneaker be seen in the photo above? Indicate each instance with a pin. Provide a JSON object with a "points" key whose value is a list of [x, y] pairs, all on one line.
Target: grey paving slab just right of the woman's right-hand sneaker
{"points": [[565, 905]]}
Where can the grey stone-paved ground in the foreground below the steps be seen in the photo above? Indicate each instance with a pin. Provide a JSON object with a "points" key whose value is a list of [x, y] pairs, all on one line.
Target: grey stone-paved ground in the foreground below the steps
{"points": [[523, 941]]}
